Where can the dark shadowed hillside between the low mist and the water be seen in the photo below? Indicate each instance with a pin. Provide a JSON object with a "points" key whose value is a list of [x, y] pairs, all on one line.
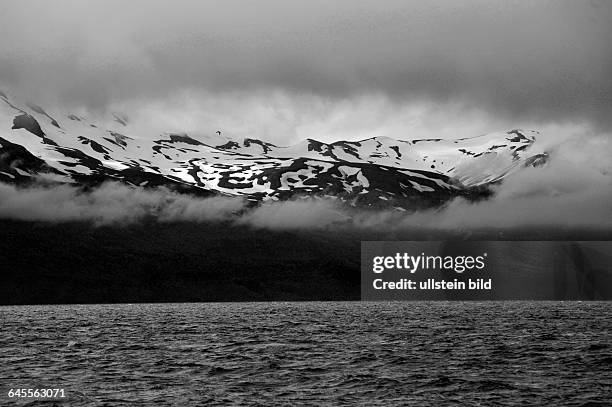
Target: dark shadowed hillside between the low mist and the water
{"points": [[182, 262]]}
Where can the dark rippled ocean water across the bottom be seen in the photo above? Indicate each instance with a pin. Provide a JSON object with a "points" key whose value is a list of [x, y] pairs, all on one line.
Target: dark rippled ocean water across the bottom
{"points": [[321, 353]]}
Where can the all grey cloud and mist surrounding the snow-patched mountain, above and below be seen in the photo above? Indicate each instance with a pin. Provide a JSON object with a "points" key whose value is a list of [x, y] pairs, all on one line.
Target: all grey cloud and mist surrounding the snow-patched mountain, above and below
{"points": [[284, 70]]}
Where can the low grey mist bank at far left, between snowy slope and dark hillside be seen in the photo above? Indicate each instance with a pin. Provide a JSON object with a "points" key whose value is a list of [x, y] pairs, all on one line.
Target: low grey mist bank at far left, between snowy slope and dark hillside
{"points": [[110, 203]]}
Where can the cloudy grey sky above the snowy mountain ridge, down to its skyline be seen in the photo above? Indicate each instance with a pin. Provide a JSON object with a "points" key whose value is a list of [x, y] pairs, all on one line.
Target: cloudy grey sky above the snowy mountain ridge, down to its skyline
{"points": [[287, 70]]}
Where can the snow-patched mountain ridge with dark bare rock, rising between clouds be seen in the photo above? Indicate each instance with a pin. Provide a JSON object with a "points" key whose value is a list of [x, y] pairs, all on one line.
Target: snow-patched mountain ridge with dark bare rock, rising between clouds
{"points": [[380, 171]]}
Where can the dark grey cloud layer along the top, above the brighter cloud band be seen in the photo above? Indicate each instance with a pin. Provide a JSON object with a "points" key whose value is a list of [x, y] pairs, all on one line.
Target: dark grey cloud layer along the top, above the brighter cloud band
{"points": [[523, 61]]}
